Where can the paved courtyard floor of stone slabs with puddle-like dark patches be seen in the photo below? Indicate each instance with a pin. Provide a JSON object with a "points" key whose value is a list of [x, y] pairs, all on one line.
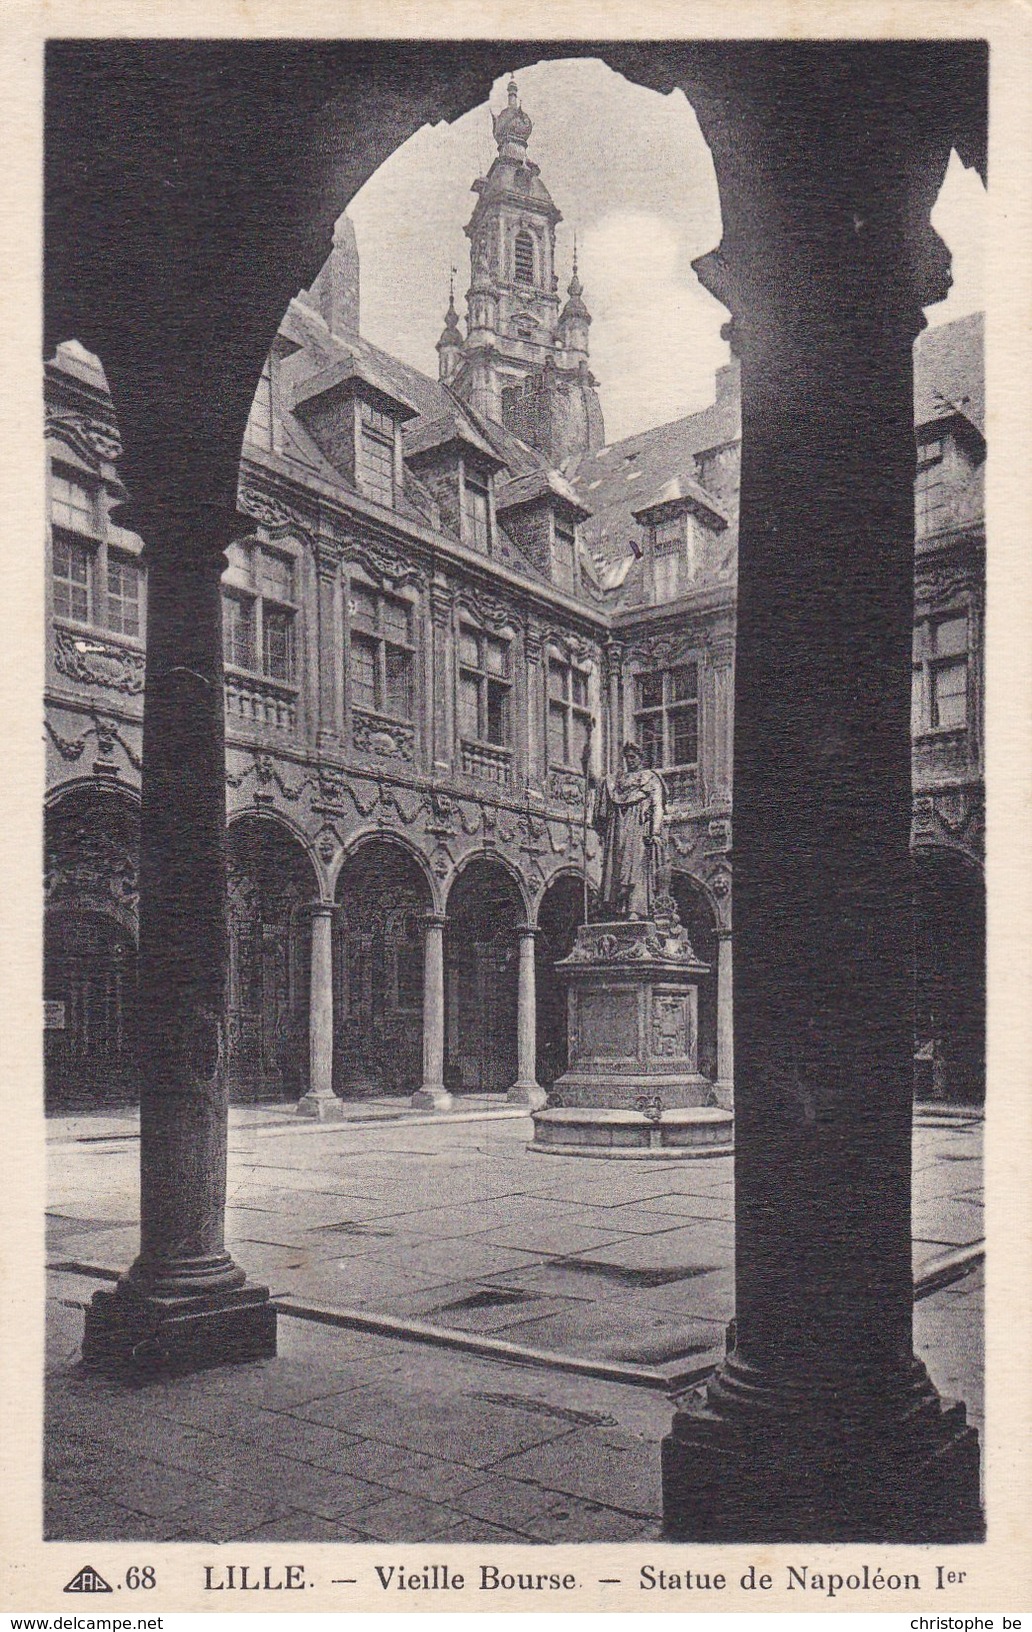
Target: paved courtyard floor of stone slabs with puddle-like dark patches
{"points": [[455, 1226]]}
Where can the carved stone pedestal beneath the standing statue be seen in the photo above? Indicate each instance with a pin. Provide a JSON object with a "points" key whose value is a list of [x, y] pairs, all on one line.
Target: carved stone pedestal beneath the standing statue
{"points": [[634, 1045]]}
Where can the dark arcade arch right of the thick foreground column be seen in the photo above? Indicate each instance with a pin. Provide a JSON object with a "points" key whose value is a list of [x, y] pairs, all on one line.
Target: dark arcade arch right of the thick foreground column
{"points": [[950, 975]]}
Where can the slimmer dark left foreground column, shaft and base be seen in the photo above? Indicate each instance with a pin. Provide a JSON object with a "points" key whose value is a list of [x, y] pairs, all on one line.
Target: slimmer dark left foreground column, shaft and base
{"points": [[184, 1303]]}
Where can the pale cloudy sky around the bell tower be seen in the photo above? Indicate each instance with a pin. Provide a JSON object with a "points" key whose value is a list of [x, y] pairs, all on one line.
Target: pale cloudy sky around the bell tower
{"points": [[634, 180]]}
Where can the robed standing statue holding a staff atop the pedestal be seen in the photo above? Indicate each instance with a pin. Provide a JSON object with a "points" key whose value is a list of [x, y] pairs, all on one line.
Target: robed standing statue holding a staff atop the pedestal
{"points": [[629, 820]]}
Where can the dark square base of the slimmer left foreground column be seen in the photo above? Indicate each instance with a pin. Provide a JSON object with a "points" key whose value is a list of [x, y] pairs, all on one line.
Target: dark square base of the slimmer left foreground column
{"points": [[127, 1331]]}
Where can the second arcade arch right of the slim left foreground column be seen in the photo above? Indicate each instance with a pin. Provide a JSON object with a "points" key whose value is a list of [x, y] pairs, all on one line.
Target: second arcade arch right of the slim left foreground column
{"points": [[383, 894]]}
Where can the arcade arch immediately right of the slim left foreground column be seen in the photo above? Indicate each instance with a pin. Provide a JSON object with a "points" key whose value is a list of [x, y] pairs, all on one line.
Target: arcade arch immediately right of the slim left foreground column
{"points": [[272, 884]]}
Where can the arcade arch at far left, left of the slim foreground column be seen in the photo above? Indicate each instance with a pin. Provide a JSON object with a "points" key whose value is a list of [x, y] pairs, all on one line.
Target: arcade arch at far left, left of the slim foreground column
{"points": [[91, 944]]}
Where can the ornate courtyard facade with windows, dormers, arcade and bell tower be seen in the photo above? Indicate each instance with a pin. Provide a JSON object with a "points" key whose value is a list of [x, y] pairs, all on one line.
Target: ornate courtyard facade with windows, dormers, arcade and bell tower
{"points": [[432, 634]]}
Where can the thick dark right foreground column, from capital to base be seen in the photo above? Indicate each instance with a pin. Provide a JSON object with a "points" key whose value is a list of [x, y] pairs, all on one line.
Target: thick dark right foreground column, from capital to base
{"points": [[822, 1424]]}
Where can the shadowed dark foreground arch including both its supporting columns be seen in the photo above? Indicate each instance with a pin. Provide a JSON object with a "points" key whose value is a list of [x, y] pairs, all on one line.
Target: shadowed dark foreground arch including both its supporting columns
{"points": [[207, 187]]}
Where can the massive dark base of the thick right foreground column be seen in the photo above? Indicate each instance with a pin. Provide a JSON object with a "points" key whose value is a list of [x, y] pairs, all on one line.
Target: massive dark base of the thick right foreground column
{"points": [[798, 1476]]}
